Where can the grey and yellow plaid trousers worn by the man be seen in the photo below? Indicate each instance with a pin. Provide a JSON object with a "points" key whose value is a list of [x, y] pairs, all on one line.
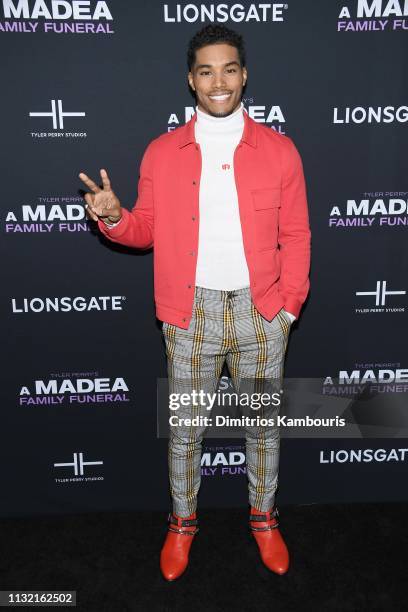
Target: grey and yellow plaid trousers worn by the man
{"points": [[225, 326]]}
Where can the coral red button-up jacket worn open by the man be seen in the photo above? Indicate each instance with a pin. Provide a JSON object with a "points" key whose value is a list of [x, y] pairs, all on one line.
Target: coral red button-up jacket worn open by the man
{"points": [[272, 207]]}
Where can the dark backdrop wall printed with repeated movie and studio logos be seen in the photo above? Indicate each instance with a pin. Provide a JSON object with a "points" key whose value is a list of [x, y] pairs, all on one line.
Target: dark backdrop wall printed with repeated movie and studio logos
{"points": [[87, 85]]}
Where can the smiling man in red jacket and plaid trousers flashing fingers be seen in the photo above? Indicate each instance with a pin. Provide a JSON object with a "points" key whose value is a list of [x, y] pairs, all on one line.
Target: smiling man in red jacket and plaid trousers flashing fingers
{"points": [[222, 200]]}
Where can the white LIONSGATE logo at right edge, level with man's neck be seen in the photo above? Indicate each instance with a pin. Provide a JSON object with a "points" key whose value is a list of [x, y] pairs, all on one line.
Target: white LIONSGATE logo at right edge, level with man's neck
{"points": [[372, 115]]}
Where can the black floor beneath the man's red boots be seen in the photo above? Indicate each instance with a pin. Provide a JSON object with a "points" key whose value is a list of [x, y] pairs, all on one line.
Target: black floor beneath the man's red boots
{"points": [[343, 557]]}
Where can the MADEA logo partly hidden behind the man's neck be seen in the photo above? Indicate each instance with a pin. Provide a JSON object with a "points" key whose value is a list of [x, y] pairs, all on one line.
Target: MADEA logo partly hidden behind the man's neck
{"points": [[270, 115]]}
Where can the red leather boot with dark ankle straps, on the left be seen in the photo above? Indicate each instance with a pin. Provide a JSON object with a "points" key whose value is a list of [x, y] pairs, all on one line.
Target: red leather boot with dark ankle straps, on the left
{"points": [[176, 548]]}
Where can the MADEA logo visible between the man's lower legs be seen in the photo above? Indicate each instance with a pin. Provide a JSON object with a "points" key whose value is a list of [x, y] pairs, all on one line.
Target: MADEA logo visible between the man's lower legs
{"points": [[223, 461]]}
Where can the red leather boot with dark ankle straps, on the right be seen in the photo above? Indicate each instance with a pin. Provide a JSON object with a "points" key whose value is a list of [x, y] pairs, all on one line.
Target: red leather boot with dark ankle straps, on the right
{"points": [[264, 528]]}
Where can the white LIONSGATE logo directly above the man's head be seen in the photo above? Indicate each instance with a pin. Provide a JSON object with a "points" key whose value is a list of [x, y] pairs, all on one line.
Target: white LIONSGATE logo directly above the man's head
{"points": [[224, 12]]}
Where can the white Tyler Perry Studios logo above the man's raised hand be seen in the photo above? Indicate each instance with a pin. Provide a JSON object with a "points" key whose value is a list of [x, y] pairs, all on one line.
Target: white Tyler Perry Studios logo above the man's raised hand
{"points": [[56, 117]]}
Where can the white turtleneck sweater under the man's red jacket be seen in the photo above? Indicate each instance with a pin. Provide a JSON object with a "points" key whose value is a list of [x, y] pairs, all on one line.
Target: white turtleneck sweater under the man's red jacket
{"points": [[221, 262]]}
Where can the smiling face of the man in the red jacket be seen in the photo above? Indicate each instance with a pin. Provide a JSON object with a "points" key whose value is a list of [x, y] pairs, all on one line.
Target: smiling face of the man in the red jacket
{"points": [[217, 79]]}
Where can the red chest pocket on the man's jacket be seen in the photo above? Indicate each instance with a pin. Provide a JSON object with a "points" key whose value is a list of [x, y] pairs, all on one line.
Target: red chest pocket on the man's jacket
{"points": [[266, 203]]}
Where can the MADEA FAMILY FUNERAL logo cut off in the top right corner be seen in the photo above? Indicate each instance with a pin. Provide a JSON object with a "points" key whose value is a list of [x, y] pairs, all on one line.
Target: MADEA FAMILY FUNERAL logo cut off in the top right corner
{"points": [[373, 16]]}
